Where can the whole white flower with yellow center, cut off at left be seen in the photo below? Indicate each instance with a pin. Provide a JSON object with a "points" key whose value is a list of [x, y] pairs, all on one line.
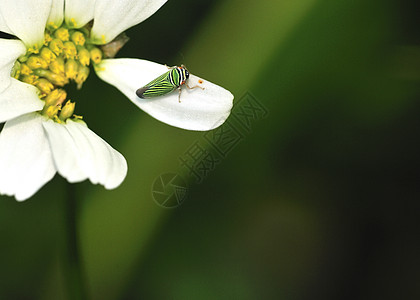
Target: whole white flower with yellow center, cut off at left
{"points": [[55, 44]]}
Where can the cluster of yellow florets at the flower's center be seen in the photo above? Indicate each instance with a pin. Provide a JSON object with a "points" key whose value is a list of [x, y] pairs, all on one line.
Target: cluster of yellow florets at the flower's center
{"points": [[63, 57]]}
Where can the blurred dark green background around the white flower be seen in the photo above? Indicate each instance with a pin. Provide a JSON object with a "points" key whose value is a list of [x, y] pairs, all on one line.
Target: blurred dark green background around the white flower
{"points": [[319, 201]]}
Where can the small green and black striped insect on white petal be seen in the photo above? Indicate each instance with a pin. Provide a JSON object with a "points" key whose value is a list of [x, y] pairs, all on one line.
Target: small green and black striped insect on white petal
{"points": [[166, 83]]}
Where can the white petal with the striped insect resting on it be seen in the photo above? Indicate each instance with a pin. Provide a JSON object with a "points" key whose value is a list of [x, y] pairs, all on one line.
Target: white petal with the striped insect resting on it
{"points": [[199, 109]]}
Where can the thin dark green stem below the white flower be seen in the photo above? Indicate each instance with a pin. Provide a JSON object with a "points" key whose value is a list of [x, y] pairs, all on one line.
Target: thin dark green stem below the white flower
{"points": [[74, 274]]}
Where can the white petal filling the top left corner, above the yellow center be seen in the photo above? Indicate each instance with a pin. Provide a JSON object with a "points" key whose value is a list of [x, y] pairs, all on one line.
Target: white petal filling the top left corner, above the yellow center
{"points": [[26, 19]]}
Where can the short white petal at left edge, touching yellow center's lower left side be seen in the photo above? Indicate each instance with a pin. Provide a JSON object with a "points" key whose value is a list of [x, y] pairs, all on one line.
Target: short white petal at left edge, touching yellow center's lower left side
{"points": [[18, 99]]}
